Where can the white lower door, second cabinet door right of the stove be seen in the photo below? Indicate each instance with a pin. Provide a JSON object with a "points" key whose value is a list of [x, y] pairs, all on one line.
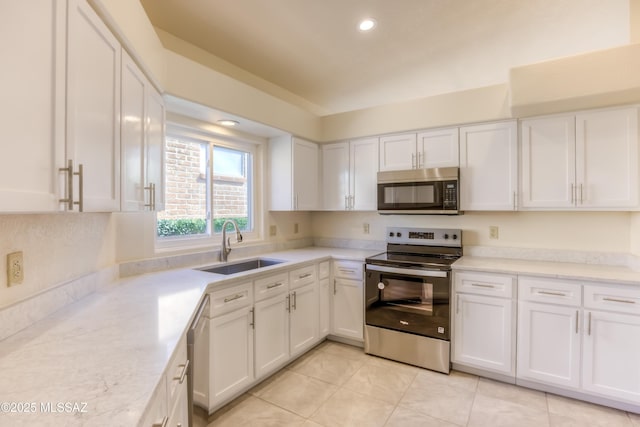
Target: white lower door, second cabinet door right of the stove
{"points": [[549, 344]]}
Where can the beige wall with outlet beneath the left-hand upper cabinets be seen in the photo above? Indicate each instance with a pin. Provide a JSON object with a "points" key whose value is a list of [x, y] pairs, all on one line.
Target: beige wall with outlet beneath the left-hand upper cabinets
{"points": [[56, 248]]}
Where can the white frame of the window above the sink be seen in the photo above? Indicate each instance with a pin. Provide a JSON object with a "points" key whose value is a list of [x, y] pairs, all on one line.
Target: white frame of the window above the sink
{"points": [[255, 202]]}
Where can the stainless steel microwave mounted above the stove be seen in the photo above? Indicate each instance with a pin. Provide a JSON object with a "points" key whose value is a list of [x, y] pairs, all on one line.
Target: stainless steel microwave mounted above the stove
{"points": [[419, 191]]}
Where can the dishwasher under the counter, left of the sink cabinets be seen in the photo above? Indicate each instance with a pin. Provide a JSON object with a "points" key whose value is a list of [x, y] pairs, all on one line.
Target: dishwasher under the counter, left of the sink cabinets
{"points": [[198, 354]]}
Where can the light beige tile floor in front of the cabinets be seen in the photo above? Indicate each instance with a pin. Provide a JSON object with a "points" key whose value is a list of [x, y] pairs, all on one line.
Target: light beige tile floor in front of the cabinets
{"points": [[338, 385]]}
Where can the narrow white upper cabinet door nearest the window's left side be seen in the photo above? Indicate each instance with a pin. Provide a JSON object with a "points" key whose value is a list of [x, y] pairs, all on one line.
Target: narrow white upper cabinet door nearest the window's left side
{"points": [[154, 149]]}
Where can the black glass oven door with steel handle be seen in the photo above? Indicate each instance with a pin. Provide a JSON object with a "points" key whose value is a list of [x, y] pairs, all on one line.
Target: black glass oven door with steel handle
{"points": [[408, 300]]}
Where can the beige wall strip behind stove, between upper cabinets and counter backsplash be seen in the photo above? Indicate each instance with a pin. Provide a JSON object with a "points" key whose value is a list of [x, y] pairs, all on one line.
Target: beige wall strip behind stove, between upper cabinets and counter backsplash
{"points": [[571, 231]]}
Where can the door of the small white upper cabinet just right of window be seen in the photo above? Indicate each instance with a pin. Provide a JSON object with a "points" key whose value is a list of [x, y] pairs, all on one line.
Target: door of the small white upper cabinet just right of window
{"points": [[305, 175]]}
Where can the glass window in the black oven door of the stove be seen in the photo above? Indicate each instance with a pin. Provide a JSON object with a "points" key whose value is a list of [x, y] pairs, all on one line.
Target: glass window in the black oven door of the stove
{"points": [[408, 294]]}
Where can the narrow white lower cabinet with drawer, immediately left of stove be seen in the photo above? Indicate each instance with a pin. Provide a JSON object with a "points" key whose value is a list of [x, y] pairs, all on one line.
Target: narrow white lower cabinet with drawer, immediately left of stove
{"points": [[348, 300]]}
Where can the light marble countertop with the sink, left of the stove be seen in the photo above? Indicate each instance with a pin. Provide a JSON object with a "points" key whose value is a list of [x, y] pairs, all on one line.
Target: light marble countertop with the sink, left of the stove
{"points": [[110, 349]]}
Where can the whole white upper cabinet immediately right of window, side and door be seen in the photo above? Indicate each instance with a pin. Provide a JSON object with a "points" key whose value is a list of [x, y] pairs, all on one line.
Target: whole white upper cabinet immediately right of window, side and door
{"points": [[294, 173]]}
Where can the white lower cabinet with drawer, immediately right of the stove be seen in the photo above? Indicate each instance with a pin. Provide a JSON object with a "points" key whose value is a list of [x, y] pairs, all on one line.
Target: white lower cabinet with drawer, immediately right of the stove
{"points": [[484, 322]]}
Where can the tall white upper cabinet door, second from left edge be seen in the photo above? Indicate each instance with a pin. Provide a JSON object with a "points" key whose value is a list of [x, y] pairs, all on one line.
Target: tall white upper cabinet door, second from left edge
{"points": [[93, 107]]}
